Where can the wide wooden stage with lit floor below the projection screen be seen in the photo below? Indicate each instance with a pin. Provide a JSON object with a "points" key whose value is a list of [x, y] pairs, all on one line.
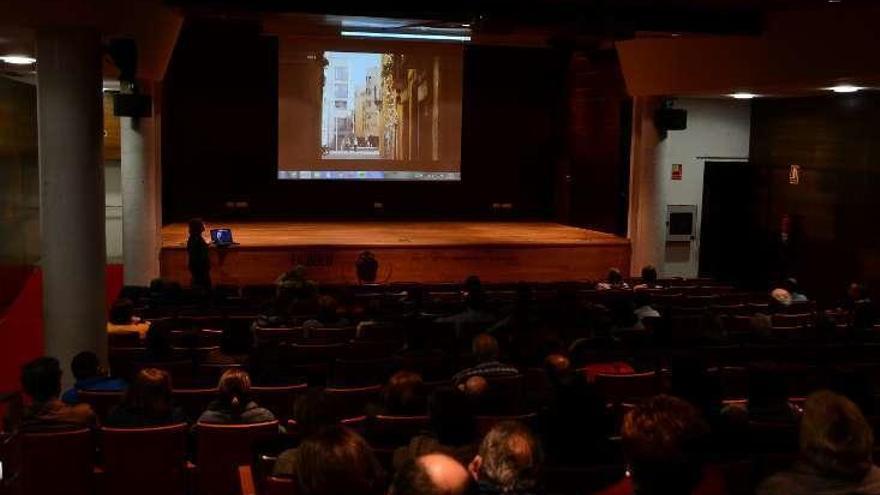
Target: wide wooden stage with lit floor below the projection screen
{"points": [[407, 251]]}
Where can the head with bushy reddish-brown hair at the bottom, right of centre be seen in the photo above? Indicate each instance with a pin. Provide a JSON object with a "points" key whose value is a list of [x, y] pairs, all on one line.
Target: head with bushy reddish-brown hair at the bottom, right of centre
{"points": [[663, 440]]}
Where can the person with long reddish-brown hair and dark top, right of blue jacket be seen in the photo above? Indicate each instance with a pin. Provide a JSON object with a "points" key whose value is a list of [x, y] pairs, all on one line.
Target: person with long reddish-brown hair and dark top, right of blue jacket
{"points": [[147, 402]]}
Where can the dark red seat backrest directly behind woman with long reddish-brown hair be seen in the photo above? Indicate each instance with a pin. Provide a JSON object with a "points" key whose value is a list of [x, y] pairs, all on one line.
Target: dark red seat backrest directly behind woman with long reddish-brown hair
{"points": [[145, 461]]}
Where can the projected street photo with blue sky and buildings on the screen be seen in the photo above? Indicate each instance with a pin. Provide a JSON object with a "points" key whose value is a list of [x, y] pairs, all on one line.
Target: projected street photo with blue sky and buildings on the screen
{"points": [[379, 106]]}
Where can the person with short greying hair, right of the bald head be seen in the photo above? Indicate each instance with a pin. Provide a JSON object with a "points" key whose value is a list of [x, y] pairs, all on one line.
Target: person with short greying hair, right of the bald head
{"points": [[509, 460]]}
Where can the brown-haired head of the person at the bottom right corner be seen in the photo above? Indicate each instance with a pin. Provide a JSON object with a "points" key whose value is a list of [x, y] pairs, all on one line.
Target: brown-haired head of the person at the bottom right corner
{"points": [[835, 437]]}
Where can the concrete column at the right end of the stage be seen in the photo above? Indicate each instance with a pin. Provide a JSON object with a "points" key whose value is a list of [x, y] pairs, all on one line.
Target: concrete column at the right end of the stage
{"points": [[646, 209]]}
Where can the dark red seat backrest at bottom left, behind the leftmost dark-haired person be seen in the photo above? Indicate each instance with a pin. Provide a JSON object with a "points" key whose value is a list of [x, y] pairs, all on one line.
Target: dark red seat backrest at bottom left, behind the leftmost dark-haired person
{"points": [[58, 462]]}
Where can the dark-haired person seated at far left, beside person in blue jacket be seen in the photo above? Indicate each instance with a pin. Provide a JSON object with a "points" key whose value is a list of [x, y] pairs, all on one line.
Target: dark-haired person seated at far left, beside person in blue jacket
{"points": [[41, 381]]}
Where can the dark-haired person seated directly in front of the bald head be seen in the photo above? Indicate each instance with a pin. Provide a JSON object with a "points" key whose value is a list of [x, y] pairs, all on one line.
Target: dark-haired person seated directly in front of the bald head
{"points": [[453, 429]]}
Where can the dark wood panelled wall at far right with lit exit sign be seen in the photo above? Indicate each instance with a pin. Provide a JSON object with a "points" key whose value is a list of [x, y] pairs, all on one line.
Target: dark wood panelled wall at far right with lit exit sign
{"points": [[836, 141]]}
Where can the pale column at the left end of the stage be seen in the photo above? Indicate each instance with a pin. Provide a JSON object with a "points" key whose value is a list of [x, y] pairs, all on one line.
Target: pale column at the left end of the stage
{"points": [[140, 198]]}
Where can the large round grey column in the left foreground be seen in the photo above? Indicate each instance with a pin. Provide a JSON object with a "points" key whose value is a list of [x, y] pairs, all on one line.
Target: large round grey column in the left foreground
{"points": [[72, 193]]}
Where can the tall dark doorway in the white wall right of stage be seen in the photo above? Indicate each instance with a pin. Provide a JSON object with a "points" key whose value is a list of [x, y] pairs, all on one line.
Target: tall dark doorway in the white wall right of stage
{"points": [[730, 247]]}
